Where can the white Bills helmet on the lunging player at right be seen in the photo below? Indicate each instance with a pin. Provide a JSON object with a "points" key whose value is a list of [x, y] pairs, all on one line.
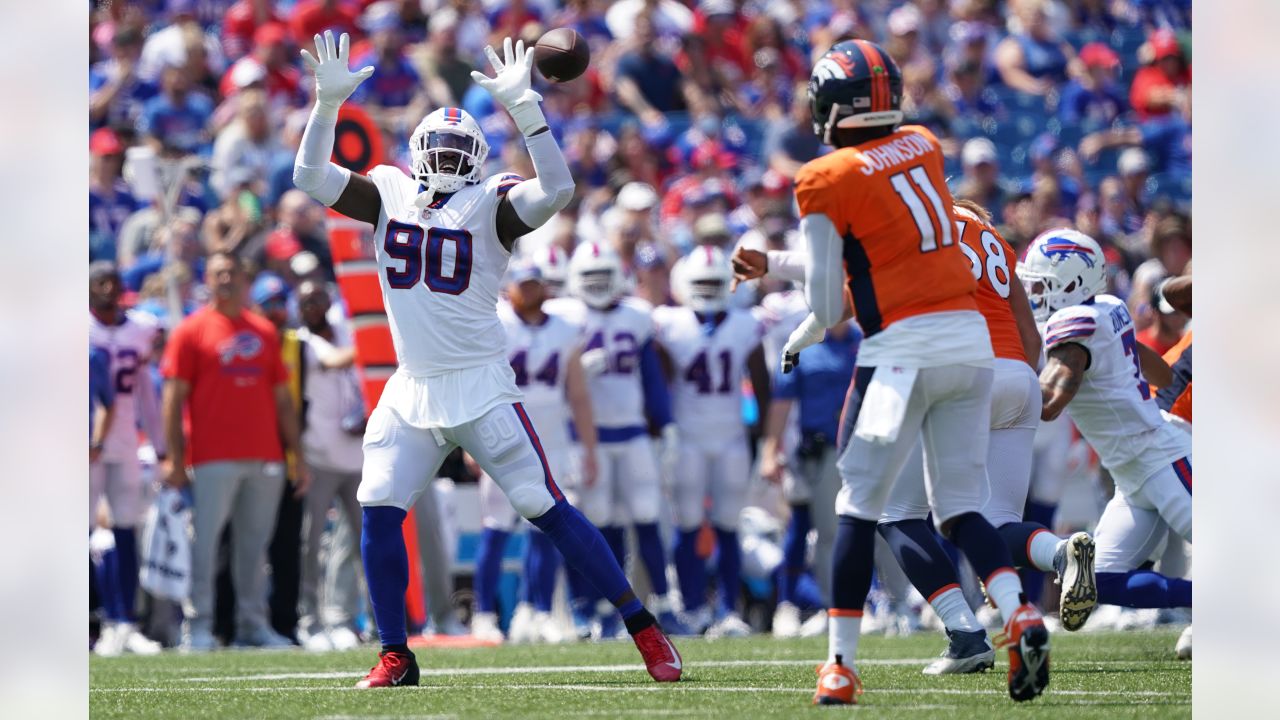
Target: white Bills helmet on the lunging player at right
{"points": [[1062, 268]]}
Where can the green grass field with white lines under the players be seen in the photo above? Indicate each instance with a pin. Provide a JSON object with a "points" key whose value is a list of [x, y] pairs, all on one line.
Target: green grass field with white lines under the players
{"points": [[1095, 676]]}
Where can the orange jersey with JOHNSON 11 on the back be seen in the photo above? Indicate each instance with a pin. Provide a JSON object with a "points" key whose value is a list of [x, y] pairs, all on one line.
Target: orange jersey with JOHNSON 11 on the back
{"points": [[890, 202]]}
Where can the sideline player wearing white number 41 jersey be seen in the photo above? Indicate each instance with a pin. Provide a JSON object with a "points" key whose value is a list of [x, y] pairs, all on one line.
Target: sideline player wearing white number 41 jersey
{"points": [[711, 347]]}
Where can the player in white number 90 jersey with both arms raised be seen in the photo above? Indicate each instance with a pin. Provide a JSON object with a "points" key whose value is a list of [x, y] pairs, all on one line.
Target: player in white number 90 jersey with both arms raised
{"points": [[444, 240]]}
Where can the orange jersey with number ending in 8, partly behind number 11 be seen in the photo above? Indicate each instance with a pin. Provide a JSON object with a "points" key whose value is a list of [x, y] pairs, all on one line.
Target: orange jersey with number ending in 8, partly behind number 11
{"points": [[993, 262]]}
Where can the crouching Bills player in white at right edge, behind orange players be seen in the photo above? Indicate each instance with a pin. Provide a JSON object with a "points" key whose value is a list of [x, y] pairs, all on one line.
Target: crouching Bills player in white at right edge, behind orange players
{"points": [[1098, 372]]}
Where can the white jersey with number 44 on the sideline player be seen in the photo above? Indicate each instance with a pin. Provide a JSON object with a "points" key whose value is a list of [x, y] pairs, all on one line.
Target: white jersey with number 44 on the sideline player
{"points": [[540, 357]]}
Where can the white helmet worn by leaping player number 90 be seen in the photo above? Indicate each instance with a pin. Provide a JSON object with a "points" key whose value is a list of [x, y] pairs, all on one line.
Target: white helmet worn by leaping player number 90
{"points": [[447, 151]]}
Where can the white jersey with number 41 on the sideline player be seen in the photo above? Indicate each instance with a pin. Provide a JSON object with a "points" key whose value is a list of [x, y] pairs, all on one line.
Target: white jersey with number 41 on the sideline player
{"points": [[708, 361]]}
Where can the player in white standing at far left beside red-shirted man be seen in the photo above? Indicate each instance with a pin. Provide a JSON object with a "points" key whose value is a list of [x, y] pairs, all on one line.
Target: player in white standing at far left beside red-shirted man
{"points": [[129, 340]]}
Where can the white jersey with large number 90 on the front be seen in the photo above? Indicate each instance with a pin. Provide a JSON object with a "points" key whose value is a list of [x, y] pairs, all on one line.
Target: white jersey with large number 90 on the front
{"points": [[441, 271]]}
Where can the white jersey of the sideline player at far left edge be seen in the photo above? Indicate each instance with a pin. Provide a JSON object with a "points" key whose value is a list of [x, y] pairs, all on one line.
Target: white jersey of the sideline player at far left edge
{"points": [[130, 348]]}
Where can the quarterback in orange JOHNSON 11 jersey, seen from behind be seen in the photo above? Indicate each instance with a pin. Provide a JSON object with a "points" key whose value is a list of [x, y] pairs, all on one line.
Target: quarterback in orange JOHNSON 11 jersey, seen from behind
{"points": [[880, 226]]}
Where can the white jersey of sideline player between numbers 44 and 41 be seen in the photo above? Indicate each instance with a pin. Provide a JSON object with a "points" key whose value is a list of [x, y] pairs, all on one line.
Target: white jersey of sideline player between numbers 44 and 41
{"points": [[618, 394]]}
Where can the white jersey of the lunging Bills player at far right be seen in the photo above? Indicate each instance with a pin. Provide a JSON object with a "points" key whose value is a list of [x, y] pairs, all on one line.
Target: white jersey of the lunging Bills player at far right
{"points": [[1113, 409]]}
